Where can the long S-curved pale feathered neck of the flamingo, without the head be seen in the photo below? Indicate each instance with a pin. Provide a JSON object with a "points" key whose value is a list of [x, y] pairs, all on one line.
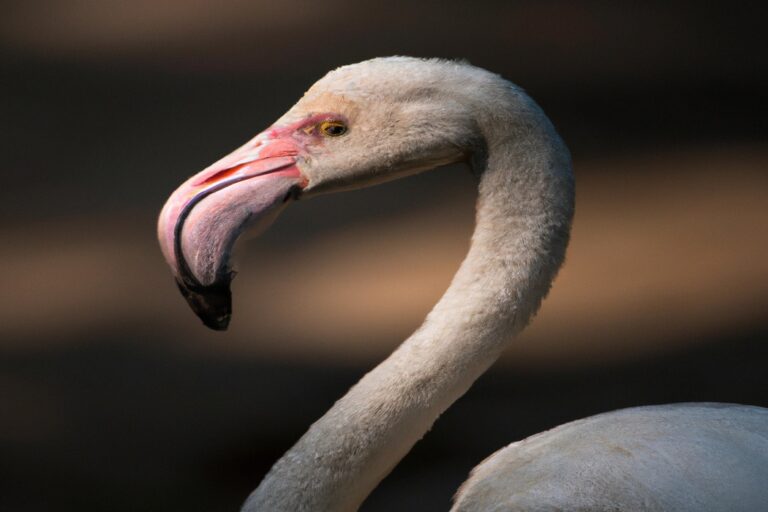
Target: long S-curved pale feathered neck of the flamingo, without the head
{"points": [[524, 209]]}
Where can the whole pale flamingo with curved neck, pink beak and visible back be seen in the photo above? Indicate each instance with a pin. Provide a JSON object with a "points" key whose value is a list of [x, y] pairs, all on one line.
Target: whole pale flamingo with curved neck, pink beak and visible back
{"points": [[386, 118]]}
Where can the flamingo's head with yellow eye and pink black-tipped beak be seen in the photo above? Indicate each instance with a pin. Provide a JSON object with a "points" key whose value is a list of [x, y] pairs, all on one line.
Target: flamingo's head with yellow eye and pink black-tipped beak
{"points": [[359, 125]]}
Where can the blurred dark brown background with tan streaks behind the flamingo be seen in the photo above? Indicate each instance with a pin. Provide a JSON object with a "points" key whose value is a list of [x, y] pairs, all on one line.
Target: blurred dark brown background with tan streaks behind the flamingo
{"points": [[114, 397]]}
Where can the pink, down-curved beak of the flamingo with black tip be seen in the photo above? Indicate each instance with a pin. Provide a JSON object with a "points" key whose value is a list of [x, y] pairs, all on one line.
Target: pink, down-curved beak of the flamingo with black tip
{"points": [[202, 219]]}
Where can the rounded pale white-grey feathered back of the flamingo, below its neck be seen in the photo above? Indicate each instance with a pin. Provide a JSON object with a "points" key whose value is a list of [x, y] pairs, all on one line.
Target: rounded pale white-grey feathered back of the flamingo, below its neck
{"points": [[703, 457]]}
